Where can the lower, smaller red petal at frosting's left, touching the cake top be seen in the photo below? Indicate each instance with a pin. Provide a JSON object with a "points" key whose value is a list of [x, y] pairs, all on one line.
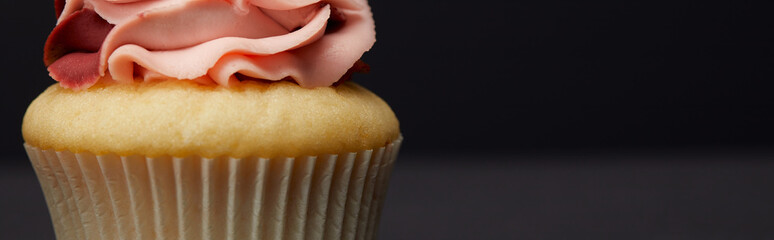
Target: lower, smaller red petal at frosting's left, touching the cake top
{"points": [[76, 70]]}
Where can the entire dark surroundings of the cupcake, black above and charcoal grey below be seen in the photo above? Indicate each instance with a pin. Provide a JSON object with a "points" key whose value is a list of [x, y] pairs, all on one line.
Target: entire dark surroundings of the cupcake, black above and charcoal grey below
{"points": [[529, 119]]}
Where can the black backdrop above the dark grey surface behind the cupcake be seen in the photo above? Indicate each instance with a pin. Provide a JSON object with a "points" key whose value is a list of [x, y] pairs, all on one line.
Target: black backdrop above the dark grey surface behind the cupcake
{"points": [[503, 76]]}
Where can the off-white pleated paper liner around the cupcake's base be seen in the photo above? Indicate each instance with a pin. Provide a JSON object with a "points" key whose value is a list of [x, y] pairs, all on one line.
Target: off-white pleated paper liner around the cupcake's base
{"points": [[111, 197]]}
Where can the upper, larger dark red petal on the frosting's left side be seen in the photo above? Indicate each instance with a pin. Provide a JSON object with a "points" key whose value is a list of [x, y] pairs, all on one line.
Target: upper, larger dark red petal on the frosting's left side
{"points": [[83, 31]]}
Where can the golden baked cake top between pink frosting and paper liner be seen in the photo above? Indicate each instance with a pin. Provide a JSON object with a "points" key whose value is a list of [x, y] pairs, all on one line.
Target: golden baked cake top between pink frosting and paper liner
{"points": [[182, 118]]}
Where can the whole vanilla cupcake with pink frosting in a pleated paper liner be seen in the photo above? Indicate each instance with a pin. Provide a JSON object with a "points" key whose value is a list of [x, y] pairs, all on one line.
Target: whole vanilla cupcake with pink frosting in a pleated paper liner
{"points": [[211, 119]]}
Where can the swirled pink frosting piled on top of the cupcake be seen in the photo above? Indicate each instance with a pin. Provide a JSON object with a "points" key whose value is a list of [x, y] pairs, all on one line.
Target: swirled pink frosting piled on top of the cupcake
{"points": [[314, 42]]}
